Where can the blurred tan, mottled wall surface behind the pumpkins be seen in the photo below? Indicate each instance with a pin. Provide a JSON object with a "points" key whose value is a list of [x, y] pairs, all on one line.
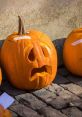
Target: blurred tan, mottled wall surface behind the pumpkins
{"points": [[57, 18]]}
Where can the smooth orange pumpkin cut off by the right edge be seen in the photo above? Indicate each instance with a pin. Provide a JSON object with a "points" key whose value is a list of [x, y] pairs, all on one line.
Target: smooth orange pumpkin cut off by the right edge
{"points": [[72, 52]]}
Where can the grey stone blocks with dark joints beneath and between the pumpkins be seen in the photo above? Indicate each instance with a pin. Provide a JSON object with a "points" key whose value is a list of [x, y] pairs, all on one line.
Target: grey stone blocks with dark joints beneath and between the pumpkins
{"points": [[63, 98]]}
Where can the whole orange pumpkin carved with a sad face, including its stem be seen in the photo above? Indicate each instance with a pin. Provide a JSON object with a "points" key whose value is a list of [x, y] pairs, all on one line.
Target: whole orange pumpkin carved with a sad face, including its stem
{"points": [[29, 59]]}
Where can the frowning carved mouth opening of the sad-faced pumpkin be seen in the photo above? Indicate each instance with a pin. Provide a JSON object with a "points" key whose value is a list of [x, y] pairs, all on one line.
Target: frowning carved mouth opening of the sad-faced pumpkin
{"points": [[45, 68]]}
